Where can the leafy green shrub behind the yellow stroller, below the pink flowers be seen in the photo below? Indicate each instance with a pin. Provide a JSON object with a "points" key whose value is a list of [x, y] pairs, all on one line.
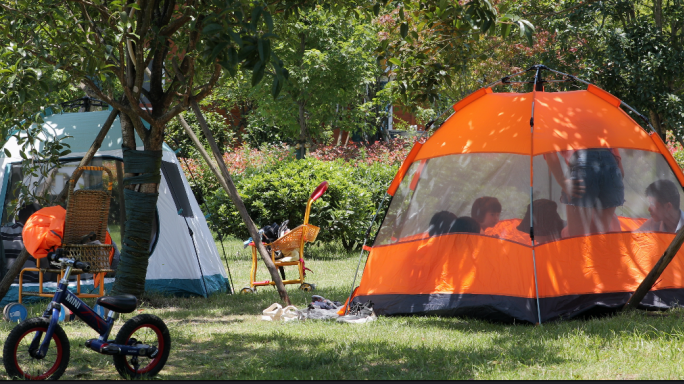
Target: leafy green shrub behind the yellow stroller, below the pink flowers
{"points": [[343, 212]]}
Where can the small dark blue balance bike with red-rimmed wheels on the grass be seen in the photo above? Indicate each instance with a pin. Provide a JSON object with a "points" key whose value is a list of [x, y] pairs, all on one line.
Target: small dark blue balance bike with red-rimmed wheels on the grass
{"points": [[38, 348]]}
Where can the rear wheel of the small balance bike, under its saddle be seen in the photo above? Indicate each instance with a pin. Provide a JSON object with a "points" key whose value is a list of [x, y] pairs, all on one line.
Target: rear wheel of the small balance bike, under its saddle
{"points": [[143, 329]]}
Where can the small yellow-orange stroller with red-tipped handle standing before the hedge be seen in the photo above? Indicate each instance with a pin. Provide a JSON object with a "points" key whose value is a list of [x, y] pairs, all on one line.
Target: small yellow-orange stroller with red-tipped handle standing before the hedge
{"points": [[293, 240]]}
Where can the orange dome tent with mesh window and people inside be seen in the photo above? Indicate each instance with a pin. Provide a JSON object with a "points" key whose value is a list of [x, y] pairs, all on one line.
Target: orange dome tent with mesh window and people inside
{"points": [[499, 145]]}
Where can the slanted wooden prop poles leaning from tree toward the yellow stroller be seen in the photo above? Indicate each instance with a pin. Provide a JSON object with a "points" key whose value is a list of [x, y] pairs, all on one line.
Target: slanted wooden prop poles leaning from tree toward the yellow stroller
{"points": [[227, 183]]}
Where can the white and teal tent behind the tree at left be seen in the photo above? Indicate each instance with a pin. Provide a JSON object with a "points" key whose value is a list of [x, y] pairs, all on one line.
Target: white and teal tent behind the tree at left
{"points": [[179, 263]]}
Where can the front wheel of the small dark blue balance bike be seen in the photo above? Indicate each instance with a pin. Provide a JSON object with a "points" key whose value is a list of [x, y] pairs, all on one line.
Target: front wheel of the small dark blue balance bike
{"points": [[17, 358]]}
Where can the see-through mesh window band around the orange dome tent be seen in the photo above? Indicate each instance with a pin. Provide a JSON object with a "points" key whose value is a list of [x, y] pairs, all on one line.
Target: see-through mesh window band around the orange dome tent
{"points": [[450, 185]]}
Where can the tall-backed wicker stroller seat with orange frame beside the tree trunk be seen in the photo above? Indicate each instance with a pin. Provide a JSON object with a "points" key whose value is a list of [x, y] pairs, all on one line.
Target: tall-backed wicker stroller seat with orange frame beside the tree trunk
{"points": [[87, 211]]}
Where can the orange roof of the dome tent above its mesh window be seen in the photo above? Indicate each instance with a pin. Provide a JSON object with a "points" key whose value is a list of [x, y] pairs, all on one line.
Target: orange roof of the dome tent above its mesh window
{"points": [[500, 123]]}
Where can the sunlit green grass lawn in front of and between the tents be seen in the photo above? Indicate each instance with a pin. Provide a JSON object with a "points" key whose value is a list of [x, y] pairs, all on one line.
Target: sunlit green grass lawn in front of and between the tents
{"points": [[222, 337]]}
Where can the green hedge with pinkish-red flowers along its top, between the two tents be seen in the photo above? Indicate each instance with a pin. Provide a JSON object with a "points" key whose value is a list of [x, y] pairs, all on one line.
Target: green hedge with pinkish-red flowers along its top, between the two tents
{"points": [[275, 187]]}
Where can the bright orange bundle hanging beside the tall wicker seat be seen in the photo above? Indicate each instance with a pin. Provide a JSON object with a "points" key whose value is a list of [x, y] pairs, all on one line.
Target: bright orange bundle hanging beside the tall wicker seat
{"points": [[43, 231]]}
